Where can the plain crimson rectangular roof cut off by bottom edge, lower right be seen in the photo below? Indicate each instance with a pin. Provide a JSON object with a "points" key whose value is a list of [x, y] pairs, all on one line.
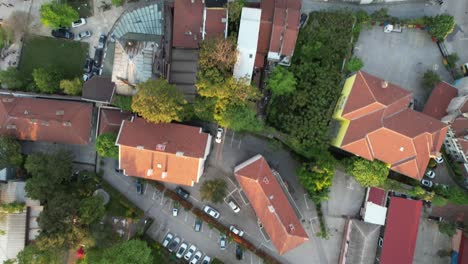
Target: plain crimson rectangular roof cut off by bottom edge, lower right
{"points": [[401, 231]]}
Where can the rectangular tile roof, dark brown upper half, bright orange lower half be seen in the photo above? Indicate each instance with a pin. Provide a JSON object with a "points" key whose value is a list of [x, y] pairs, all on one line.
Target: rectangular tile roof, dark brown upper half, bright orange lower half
{"points": [[172, 153]]}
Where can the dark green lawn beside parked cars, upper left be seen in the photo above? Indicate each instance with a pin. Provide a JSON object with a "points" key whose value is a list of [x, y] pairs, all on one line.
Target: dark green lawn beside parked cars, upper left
{"points": [[67, 56]]}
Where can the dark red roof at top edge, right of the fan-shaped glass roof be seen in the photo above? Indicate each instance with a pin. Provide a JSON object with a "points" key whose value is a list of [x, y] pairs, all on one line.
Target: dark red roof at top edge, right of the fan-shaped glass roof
{"points": [[188, 21]]}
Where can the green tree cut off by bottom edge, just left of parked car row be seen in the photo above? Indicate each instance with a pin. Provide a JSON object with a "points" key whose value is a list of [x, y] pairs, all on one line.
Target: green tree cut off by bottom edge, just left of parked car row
{"points": [[127, 252]]}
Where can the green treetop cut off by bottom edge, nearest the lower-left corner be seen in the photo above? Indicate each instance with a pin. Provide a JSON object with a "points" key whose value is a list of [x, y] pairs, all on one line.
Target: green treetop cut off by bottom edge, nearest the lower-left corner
{"points": [[31, 254]]}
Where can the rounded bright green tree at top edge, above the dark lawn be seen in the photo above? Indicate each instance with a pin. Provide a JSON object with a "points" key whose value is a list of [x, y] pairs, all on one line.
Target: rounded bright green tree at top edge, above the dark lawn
{"points": [[55, 14]]}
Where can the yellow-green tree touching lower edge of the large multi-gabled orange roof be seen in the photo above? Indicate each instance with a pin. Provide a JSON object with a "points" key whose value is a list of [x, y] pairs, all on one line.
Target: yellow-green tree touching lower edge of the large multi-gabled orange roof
{"points": [[368, 173]]}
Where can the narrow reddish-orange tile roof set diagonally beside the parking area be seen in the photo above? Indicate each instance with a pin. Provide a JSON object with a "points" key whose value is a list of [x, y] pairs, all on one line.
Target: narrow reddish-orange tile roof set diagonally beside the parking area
{"points": [[270, 204]]}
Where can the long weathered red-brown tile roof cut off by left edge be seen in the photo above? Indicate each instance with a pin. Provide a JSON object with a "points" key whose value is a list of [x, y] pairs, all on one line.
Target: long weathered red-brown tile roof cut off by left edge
{"points": [[45, 120]]}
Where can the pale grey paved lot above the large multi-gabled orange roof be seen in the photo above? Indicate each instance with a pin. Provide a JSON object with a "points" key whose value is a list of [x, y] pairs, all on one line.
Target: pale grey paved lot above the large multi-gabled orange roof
{"points": [[401, 58]]}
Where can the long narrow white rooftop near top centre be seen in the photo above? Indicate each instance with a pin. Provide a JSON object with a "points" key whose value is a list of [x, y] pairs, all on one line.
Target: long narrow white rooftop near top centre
{"points": [[247, 43]]}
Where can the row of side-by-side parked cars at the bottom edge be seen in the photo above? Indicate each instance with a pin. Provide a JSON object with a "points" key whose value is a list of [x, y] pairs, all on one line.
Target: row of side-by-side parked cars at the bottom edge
{"points": [[189, 253]]}
